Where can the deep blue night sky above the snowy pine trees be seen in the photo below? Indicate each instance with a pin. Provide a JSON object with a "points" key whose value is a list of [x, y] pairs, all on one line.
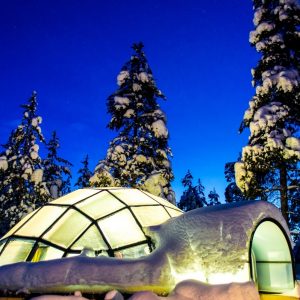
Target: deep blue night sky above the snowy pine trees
{"points": [[70, 52]]}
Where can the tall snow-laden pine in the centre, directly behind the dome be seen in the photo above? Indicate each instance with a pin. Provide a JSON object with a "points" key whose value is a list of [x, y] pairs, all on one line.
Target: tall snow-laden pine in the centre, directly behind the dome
{"points": [[139, 156]]}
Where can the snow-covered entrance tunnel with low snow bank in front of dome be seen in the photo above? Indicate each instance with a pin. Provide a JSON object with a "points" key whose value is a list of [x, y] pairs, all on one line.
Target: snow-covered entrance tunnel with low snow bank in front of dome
{"points": [[201, 244]]}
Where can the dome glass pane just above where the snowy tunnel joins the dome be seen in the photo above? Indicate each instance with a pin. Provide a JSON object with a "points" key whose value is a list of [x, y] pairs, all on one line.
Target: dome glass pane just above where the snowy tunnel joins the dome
{"points": [[150, 215]]}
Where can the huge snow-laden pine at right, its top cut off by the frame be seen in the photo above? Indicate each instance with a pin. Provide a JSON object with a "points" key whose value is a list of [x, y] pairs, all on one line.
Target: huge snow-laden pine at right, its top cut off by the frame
{"points": [[273, 115]]}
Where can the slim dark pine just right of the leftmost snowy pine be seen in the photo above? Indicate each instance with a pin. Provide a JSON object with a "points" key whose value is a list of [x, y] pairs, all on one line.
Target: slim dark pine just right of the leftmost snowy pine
{"points": [[57, 172]]}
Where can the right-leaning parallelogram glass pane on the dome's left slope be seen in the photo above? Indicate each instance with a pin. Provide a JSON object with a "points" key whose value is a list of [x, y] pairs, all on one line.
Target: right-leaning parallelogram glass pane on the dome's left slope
{"points": [[43, 219]]}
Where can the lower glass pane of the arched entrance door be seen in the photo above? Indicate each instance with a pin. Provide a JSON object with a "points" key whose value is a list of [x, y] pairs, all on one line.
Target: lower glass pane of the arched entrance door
{"points": [[275, 277]]}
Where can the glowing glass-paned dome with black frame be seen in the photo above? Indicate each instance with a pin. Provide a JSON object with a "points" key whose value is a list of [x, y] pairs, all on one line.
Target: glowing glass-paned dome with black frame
{"points": [[99, 221]]}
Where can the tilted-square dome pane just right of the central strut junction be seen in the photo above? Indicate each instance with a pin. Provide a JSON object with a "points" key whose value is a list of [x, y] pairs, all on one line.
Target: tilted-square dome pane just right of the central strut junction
{"points": [[121, 229]]}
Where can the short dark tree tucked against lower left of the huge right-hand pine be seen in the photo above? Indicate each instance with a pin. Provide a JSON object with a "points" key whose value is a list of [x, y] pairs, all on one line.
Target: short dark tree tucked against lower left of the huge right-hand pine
{"points": [[232, 192]]}
